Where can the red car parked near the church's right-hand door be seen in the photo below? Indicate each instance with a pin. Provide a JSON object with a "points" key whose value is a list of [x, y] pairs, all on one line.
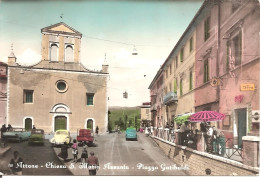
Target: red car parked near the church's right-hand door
{"points": [[85, 137]]}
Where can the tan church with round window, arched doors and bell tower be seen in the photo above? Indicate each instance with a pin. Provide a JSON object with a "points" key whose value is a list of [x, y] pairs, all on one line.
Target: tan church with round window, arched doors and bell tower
{"points": [[58, 92]]}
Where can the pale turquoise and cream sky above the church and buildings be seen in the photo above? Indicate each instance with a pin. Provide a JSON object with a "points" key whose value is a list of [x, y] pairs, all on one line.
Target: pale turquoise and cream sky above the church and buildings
{"points": [[111, 27]]}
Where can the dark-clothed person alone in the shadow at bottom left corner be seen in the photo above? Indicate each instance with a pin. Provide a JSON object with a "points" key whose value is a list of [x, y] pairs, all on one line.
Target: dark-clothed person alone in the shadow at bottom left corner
{"points": [[16, 164]]}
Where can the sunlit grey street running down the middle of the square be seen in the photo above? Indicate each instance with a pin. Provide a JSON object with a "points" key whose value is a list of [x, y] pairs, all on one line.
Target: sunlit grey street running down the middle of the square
{"points": [[113, 150]]}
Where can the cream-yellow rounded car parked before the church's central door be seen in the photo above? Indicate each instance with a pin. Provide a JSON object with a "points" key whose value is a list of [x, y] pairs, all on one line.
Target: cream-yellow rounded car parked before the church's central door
{"points": [[60, 137]]}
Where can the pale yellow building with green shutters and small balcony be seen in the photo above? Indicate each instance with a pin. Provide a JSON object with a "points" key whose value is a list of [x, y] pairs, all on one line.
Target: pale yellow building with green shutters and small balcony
{"points": [[179, 76]]}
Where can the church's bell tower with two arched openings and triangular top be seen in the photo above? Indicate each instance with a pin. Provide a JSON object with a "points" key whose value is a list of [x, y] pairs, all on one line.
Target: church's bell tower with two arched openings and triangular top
{"points": [[61, 42]]}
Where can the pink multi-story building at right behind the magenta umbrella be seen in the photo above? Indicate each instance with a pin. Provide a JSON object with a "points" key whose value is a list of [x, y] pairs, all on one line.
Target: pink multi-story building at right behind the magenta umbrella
{"points": [[227, 63]]}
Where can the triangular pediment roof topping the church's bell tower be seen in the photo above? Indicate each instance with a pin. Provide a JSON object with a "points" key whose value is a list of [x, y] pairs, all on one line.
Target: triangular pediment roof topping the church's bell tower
{"points": [[61, 28]]}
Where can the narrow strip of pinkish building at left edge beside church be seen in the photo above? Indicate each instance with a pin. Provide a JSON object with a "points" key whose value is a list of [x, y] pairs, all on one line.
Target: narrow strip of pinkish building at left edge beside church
{"points": [[3, 95]]}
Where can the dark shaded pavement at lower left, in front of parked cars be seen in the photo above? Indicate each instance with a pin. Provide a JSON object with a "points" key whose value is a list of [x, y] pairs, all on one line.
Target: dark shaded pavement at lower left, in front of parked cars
{"points": [[35, 155]]}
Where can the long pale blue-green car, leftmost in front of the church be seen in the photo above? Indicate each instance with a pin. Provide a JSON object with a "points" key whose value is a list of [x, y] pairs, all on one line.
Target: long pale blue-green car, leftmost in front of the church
{"points": [[17, 134]]}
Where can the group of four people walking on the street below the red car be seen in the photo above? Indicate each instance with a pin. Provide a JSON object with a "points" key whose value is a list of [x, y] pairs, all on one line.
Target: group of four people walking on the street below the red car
{"points": [[91, 161]]}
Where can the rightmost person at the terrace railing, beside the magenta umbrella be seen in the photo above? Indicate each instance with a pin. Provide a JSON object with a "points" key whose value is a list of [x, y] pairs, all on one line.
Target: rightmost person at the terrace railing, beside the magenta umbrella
{"points": [[219, 140]]}
